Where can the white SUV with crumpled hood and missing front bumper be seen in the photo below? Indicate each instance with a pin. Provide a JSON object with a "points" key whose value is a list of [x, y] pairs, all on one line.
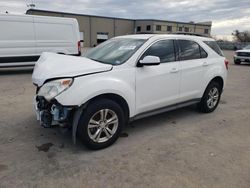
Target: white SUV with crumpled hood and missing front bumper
{"points": [[124, 79]]}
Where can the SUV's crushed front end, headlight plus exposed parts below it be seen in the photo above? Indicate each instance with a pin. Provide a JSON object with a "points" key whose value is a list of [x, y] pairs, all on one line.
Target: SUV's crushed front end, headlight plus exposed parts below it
{"points": [[49, 111]]}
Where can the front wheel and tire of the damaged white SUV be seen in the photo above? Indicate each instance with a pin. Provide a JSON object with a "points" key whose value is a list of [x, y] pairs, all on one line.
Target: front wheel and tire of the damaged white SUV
{"points": [[93, 127]]}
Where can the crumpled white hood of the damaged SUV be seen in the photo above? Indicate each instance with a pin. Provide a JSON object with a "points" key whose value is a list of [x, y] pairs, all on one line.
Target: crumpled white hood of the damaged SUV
{"points": [[51, 65]]}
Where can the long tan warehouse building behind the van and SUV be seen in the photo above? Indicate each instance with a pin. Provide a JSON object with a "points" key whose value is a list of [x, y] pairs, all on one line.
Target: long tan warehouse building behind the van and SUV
{"points": [[96, 29]]}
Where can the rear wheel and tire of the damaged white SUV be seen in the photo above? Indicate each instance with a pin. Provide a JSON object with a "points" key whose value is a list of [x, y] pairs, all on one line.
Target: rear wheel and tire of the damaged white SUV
{"points": [[211, 98]]}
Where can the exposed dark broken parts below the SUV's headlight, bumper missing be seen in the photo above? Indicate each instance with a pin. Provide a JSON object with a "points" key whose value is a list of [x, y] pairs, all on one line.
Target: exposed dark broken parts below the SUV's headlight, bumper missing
{"points": [[52, 113]]}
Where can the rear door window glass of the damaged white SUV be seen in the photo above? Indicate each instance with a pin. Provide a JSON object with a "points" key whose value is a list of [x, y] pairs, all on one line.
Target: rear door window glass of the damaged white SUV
{"points": [[189, 50]]}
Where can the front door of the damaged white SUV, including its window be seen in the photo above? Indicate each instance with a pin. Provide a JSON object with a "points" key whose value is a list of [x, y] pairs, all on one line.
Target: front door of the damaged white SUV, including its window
{"points": [[158, 86]]}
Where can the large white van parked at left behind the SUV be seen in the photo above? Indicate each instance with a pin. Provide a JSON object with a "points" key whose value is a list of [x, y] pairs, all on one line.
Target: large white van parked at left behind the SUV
{"points": [[23, 38]]}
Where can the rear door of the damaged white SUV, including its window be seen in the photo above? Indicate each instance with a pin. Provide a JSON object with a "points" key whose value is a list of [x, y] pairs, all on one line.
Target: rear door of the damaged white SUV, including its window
{"points": [[193, 65]]}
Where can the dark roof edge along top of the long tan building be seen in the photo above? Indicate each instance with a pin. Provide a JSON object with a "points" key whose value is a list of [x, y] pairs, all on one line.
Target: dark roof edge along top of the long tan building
{"points": [[154, 20]]}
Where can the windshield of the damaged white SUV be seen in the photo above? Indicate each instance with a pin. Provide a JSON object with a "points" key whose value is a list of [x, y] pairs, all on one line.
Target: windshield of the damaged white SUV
{"points": [[115, 51]]}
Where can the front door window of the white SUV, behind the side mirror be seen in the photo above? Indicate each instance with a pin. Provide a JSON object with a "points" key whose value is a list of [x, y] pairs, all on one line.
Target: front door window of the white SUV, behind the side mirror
{"points": [[163, 49]]}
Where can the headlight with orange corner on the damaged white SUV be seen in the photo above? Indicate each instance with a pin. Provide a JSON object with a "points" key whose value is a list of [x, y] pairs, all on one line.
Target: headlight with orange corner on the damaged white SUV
{"points": [[51, 89]]}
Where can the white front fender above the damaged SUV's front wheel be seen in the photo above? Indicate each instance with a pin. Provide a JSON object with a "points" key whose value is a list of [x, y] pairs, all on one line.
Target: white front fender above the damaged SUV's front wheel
{"points": [[87, 87]]}
